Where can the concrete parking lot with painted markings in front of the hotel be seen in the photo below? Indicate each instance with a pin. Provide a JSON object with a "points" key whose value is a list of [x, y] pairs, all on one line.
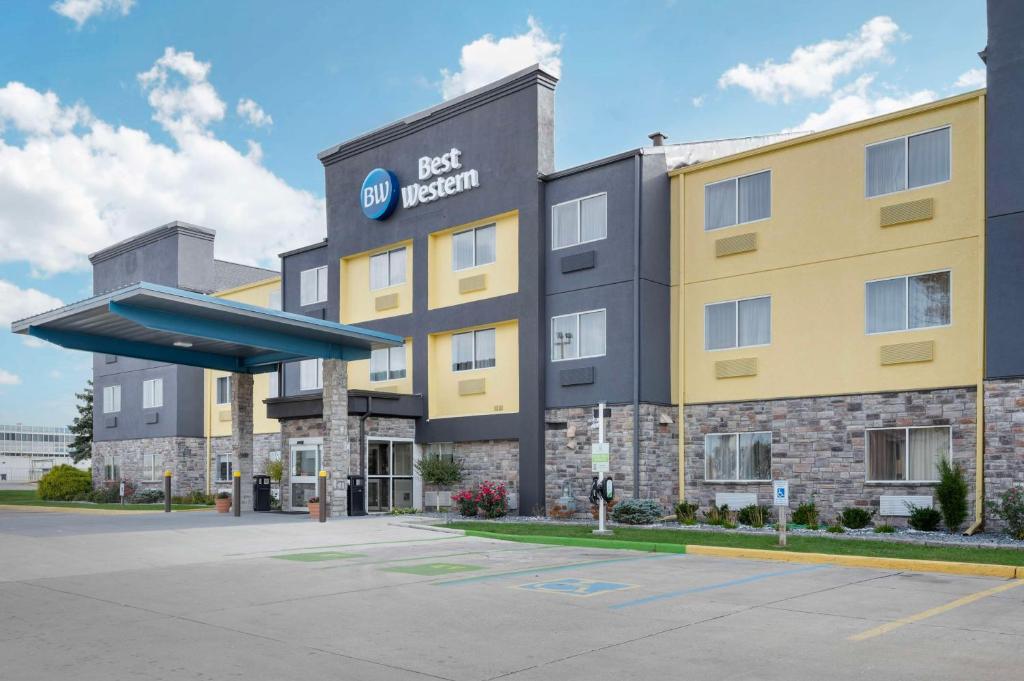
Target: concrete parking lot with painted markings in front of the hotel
{"points": [[207, 597]]}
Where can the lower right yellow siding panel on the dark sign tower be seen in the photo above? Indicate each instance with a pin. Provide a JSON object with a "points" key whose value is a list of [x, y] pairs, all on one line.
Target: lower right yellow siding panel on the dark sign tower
{"points": [[501, 390]]}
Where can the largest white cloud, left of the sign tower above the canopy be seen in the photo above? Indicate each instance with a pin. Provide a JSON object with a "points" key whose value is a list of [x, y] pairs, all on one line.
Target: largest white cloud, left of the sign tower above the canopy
{"points": [[75, 184]]}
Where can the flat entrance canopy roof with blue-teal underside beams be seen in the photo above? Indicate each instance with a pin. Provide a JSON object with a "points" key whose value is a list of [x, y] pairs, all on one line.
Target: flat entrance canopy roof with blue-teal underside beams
{"points": [[164, 324]]}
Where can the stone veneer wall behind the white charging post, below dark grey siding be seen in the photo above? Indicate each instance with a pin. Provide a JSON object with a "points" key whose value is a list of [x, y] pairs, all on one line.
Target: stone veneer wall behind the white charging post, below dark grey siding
{"points": [[571, 432]]}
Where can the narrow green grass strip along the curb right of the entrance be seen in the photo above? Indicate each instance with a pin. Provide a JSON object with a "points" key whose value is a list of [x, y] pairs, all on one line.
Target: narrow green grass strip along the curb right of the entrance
{"points": [[859, 547]]}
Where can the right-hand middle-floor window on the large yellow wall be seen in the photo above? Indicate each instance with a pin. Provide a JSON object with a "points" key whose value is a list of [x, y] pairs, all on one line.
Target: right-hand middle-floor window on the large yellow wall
{"points": [[918, 302]]}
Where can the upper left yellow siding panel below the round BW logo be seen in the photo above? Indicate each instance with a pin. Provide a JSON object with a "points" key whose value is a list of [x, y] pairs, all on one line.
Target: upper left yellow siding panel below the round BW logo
{"points": [[359, 304]]}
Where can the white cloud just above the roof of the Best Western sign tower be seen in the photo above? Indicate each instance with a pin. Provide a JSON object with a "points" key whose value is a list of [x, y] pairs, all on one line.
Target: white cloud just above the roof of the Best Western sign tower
{"points": [[487, 60]]}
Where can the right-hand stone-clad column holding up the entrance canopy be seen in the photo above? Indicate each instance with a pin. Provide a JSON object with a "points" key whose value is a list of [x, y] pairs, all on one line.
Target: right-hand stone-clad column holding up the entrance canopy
{"points": [[336, 446]]}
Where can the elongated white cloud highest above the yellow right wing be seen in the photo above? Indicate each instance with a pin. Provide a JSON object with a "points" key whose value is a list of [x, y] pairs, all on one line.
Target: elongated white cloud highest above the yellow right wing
{"points": [[813, 71]]}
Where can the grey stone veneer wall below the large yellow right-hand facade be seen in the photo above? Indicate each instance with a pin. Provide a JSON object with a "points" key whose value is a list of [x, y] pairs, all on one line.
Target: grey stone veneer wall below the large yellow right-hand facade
{"points": [[819, 444]]}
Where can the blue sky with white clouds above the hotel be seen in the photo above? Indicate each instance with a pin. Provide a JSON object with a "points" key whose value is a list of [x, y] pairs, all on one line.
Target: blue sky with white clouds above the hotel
{"points": [[118, 116]]}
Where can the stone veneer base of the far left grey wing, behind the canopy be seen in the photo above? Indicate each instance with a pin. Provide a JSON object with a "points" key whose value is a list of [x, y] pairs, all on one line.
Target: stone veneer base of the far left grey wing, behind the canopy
{"points": [[185, 456]]}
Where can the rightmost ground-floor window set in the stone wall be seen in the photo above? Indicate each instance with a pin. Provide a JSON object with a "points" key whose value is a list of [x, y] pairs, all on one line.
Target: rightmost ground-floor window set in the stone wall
{"points": [[907, 454]]}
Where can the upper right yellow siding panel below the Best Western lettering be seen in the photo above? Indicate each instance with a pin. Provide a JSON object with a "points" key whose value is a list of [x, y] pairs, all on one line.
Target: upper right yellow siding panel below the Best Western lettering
{"points": [[501, 277]]}
